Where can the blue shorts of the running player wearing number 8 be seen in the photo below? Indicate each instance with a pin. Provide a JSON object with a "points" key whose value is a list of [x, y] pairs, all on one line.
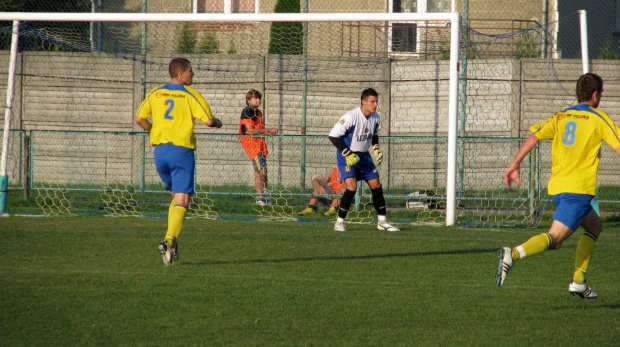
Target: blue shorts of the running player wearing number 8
{"points": [[571, 208]]}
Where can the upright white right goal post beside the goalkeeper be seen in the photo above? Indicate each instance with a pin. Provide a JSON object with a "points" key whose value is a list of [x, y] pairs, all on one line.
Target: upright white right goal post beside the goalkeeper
{"points": [[455, 26]]}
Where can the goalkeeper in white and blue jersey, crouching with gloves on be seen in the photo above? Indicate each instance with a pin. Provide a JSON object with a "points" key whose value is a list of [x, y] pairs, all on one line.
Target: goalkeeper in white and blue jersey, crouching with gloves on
{"points": [[353, 135]]}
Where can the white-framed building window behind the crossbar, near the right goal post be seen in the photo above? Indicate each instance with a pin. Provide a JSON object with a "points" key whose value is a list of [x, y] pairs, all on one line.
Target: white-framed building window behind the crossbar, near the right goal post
{"points": [[404, 36]]}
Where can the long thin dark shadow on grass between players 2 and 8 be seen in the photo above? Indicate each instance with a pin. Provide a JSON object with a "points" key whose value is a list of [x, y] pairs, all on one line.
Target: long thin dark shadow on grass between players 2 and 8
{"points": [[350, 257]]}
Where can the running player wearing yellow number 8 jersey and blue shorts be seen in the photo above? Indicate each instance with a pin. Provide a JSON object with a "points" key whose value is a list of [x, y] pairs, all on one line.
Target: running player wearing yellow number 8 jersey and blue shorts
{"points": [[577, 134]]}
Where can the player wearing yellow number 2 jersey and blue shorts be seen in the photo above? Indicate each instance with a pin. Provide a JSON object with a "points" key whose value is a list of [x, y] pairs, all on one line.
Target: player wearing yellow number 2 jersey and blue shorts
{"points": [[174, 107]]}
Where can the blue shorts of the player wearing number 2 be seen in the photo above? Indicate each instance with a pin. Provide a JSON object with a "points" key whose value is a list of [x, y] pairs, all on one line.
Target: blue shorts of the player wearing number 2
{"points": [[175, 166]]}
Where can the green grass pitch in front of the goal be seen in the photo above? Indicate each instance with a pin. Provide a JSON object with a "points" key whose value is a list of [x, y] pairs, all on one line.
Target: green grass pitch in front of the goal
{"points": [[100, 281]]}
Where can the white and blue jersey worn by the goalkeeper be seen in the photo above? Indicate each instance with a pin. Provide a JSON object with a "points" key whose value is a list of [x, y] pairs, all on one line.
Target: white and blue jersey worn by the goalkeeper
{"points": [[356, 130]]}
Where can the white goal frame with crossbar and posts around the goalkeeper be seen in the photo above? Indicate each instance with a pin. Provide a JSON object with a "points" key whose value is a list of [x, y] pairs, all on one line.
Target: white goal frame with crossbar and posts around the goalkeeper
{"points": [[453, 18]]}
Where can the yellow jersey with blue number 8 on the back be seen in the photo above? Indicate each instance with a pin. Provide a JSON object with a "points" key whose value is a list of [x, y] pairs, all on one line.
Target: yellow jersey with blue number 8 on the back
{"points": [[577, 133]]}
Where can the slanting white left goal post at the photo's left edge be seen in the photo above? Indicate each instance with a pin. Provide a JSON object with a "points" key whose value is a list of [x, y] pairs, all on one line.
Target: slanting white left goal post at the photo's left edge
{"points": [[8, 112]]}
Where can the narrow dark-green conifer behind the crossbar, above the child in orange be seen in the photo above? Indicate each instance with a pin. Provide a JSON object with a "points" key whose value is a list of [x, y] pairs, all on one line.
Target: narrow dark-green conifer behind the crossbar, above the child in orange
{"points": [[286, 37]]}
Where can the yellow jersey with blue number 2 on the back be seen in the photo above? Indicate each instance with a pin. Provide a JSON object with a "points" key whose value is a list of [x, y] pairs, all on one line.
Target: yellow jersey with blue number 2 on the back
{"points": [[174, 107]]}
